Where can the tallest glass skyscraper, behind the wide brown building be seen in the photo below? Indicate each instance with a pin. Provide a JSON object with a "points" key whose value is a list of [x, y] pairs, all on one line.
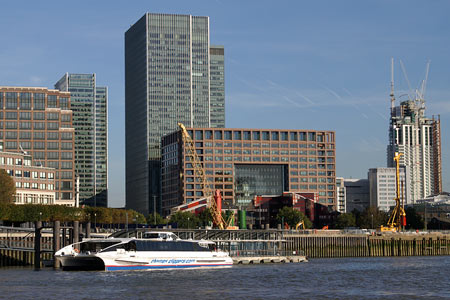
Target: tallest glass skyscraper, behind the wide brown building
{"points": [[168, 79]]}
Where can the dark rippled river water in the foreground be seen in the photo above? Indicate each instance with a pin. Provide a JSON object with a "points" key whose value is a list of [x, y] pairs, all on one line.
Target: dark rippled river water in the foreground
{"points": [[342, 278]]}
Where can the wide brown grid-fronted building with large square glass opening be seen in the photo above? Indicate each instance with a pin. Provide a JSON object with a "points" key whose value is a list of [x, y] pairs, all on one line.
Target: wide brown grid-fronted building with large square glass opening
{"points": [[242, 163]]}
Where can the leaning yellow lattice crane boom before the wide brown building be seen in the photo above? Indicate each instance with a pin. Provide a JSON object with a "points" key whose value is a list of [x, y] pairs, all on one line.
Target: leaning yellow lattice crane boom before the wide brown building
{"points": [[189, 148]]}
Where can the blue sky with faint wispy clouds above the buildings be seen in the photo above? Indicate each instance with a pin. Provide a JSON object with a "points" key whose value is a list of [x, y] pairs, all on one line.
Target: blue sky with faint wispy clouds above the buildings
{"points": [[289, 64]]}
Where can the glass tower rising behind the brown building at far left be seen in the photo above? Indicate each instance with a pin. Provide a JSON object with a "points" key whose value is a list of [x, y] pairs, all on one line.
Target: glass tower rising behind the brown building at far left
{"points": [[89, 104]]}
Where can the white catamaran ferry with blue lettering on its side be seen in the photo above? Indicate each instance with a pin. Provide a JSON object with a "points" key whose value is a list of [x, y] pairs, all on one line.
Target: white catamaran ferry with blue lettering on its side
{"points": [[154, 250]]}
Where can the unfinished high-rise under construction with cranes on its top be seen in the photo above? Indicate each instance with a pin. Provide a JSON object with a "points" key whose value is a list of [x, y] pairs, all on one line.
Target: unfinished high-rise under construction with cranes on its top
{"points": [[418, 139]]}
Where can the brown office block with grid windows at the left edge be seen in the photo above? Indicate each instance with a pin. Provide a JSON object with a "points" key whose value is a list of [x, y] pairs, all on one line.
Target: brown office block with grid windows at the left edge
{"points": [[38, 122]]}
